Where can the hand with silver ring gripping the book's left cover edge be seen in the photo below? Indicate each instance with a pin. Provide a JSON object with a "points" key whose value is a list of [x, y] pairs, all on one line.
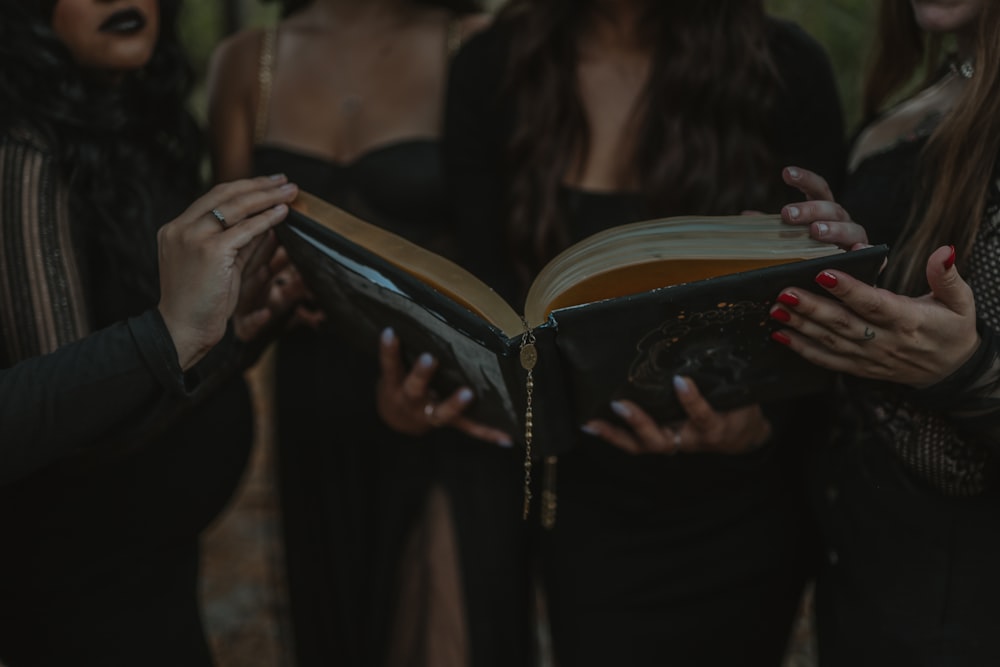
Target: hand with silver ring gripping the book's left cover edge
{"points": [[202, 265]]}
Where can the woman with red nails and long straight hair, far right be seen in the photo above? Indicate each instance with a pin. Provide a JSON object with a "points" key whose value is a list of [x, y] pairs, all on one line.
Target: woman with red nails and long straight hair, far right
{"points": [[906, 491]]}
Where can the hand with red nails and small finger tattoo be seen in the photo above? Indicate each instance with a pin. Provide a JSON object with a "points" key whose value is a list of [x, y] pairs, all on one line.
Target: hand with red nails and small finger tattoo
{"points": [[874, 333]]}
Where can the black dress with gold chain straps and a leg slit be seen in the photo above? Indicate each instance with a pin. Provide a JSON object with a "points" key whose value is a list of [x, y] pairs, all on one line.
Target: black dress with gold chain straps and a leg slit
{"points": [[350, 488]]}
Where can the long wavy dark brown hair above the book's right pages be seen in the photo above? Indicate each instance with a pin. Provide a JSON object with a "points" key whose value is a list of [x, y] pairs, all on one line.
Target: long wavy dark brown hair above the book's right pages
{"points": [[702, 138]]}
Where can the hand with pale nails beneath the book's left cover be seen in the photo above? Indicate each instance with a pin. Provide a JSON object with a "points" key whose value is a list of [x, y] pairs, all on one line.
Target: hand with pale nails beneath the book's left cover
{"points": [[406, 403]]}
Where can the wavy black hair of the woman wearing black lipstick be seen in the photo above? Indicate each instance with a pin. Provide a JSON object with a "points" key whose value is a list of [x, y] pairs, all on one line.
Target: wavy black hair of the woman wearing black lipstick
{"points": [[116, 145]]}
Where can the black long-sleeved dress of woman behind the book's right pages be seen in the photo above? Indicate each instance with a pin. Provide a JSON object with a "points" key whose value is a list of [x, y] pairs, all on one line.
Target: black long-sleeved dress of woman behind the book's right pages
{"points": [[693, 559]]}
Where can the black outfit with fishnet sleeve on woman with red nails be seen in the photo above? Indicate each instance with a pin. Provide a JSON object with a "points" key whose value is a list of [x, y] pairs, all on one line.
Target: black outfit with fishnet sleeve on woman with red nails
{"points": [[906, 492]]}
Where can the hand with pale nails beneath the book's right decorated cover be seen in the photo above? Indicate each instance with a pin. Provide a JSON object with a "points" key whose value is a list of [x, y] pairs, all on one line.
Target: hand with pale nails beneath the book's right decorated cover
{"points": [[705, 430]]}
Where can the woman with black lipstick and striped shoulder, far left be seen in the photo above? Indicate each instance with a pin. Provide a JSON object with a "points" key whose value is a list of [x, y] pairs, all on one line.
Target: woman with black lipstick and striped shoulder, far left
{"points": [[125, 420]]}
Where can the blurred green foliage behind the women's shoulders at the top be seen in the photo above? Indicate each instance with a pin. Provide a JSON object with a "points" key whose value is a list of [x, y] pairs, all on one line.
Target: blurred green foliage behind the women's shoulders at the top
{"points": [[842, 26]]}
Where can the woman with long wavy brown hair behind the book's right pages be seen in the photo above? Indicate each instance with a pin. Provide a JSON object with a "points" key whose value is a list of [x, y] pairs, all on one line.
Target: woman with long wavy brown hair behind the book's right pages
{"points": [[566, 118]]}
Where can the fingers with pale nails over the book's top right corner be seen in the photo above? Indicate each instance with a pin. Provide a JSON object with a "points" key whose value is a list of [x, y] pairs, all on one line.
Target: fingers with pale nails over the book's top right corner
{"points": [[827, 220]]}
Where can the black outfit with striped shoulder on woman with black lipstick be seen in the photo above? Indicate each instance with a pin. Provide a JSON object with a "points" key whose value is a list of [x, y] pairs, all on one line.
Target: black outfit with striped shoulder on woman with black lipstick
{"points": [[114, 460]]}
